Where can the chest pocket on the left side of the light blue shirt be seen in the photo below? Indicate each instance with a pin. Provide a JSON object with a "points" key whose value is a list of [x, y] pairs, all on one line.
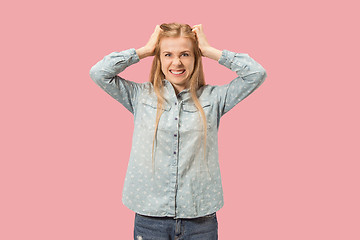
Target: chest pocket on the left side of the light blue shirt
{"points": [[148, 114]]}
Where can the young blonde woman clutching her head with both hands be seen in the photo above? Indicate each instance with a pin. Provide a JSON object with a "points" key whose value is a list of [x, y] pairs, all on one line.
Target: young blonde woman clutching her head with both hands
{"points": [[173, 181]]}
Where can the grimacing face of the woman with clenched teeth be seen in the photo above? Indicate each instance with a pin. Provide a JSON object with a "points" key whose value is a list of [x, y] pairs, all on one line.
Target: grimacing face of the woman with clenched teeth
{"points": [[177, 61]]}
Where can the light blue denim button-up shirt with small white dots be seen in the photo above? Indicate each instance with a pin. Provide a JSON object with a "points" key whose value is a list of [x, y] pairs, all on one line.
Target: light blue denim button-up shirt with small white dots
{"points": [[184, 185]]}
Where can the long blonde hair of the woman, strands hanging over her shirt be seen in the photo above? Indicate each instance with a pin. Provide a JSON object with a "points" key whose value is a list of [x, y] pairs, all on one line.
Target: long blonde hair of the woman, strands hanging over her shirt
{"points": [[196, 79]]}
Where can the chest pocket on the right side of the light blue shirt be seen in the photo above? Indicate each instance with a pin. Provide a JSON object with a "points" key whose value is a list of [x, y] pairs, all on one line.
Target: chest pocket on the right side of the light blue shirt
{"points": [[191, 119]]}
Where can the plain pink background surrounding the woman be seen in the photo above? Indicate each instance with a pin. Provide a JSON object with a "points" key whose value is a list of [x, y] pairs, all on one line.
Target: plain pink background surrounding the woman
{"points": [[288, 153]]}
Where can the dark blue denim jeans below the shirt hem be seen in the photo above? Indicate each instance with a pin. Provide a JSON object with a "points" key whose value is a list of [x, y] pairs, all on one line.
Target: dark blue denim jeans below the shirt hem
{"points": [[168, 228]]}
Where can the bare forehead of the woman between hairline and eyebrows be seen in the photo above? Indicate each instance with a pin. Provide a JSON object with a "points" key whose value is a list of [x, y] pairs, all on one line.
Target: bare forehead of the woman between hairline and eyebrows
{"points": [[178, 44]]}
